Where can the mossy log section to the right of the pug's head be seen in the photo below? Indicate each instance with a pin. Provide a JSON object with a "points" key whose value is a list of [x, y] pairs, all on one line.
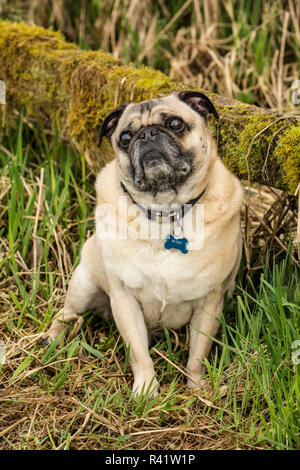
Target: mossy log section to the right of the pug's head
{"points": [[250, 146]]}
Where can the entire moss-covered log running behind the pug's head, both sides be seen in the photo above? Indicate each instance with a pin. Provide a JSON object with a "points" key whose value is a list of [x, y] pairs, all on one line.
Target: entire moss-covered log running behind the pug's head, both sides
{"points": [[73, 90]]}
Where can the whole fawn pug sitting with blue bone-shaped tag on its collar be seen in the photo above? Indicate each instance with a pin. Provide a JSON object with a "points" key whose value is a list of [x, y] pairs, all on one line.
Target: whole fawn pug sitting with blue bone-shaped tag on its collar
{"points": [[165, 161]]}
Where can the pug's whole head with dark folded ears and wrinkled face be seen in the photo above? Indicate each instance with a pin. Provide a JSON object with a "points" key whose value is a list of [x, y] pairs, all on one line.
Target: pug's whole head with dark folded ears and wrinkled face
{"points": [[159, 142]]}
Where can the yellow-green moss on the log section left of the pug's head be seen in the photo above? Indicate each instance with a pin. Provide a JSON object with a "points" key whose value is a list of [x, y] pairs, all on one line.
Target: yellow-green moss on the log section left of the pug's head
{"points": [[73, 89]]}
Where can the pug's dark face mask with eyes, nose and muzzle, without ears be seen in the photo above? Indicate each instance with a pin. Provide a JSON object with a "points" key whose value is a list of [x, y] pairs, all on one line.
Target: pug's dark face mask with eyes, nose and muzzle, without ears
{"points": [[157, 157]]}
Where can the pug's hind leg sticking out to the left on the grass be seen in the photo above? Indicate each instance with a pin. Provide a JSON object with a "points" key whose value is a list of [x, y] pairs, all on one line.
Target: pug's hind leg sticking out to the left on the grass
{"points": [[83, 293]]}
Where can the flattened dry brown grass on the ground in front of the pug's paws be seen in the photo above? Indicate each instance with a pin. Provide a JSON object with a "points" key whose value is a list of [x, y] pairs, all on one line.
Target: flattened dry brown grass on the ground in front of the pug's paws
{"points": [[35, 418]]}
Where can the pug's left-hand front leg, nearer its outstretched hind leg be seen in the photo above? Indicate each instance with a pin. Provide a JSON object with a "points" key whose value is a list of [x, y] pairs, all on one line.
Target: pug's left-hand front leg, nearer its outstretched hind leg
{"points": [[130, 321]]}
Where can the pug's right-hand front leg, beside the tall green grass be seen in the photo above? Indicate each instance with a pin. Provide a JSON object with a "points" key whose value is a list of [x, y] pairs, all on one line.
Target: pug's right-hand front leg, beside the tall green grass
{"points": [[205, 319]]}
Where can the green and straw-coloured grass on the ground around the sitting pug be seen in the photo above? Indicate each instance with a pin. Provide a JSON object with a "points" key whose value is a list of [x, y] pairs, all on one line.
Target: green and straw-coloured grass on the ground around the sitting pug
{"points": [[77, 395]]}
